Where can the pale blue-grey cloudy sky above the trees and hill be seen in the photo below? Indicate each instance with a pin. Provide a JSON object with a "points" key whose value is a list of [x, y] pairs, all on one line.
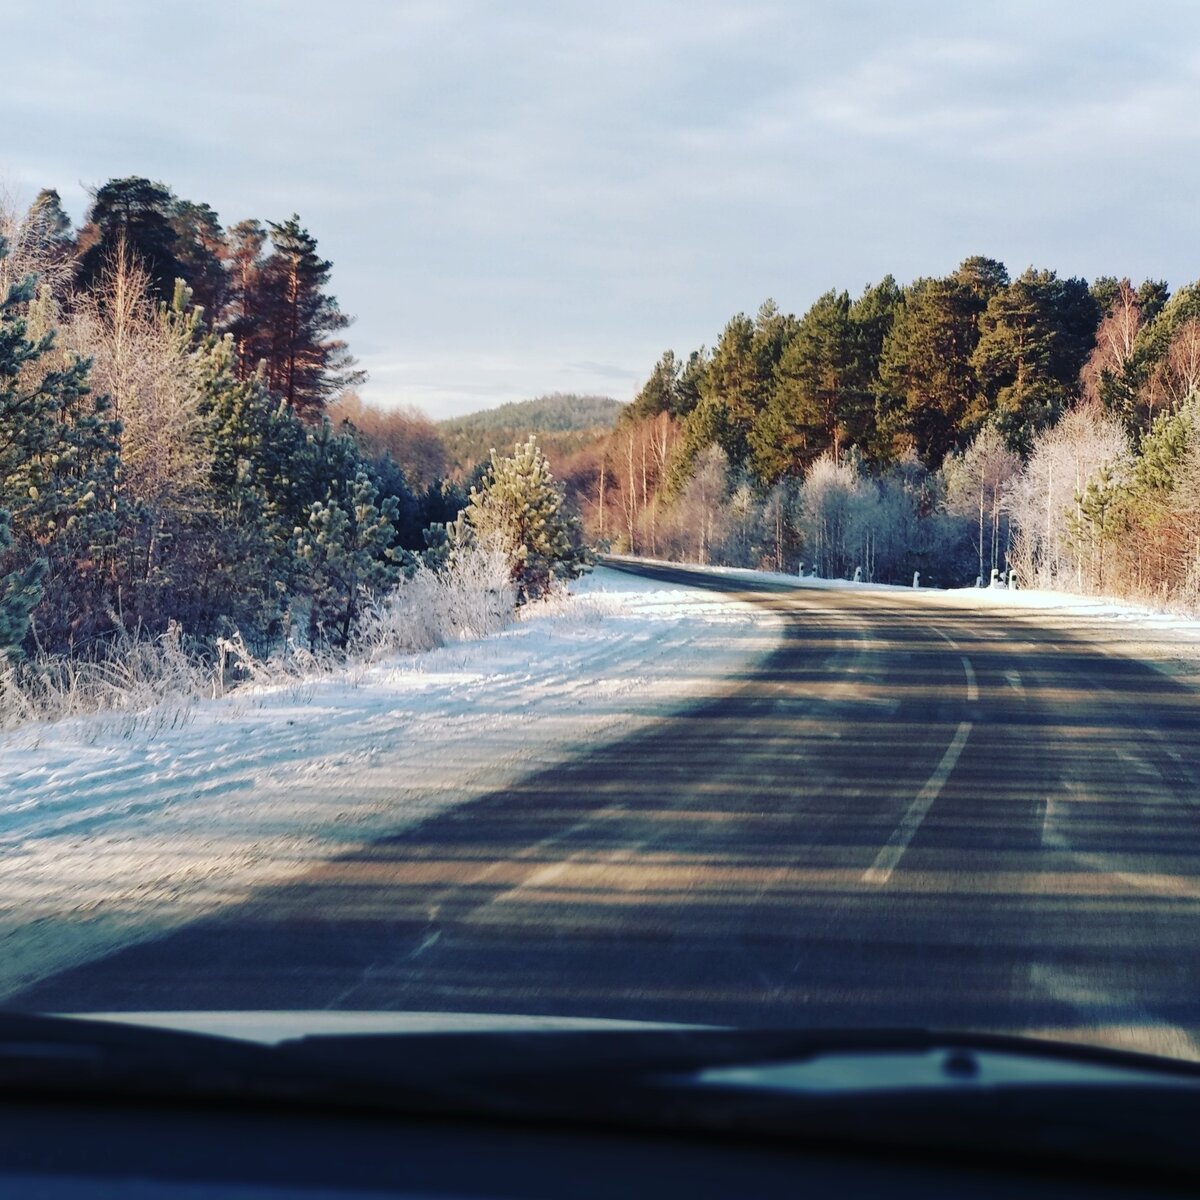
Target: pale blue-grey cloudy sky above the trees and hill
{"points": [[525, 197]]}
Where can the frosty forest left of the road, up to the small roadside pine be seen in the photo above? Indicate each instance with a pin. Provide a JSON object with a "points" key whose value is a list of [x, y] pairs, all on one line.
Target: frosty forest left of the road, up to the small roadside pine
{"points": [[184, 461]]}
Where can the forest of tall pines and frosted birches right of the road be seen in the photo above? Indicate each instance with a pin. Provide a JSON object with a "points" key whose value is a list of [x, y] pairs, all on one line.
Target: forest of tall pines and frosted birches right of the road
{"points": [[1037, 430]]}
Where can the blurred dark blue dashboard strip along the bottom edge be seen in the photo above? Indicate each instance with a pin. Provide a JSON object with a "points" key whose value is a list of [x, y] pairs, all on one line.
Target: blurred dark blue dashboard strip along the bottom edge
{"points": [[56, 1150]]}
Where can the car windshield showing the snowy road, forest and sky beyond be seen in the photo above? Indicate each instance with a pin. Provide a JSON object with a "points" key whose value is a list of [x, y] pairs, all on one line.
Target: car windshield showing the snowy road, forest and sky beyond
{"points": [[577, 633]]}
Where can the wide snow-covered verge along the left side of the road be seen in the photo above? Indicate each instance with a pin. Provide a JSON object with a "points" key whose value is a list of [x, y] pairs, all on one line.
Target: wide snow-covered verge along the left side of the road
{"points": [[115, 829]]}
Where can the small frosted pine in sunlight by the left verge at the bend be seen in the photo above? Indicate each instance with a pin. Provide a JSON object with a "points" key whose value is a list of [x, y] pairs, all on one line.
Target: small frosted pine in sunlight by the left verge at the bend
{"points": [[520, 507]]}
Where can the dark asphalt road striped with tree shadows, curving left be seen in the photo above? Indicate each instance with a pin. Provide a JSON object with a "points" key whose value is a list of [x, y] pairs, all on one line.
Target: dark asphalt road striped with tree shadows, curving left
{"points": [[907, 815]]}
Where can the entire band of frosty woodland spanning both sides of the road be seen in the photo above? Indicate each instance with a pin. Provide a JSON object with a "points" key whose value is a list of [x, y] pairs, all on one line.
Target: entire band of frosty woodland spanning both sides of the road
{"points": [[184, 454]]}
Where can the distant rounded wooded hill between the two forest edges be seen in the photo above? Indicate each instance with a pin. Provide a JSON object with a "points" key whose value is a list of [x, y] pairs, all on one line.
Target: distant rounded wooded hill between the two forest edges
{"points": [[563, 424]]}
